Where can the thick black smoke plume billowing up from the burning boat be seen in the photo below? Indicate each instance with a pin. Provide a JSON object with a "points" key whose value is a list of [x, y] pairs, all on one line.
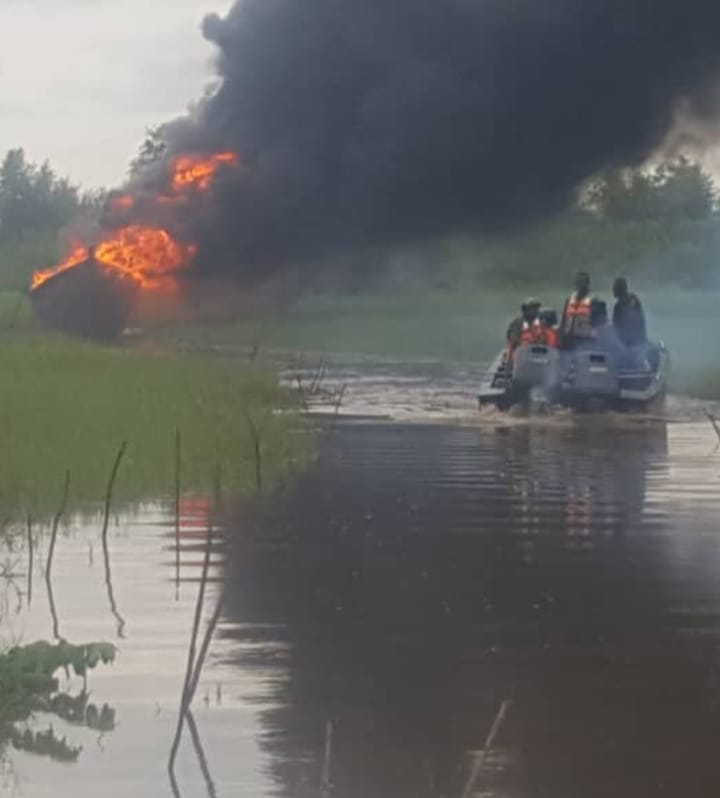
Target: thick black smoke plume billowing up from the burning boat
{"points": [[367, 123]]}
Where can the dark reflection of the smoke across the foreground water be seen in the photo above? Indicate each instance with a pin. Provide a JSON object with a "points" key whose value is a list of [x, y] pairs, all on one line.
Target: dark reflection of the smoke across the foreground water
{"points": [[421, 577]]}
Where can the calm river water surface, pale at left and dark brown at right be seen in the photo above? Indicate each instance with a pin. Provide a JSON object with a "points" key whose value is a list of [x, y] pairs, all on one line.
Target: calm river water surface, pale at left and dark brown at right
{"points": [[467, 606]]}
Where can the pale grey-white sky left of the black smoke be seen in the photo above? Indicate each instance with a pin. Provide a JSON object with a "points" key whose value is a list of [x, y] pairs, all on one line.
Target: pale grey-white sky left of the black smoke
{"points": [[81, 80]]}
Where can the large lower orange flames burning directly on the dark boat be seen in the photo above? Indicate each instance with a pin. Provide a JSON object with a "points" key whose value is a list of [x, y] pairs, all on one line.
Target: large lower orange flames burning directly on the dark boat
{"points": [[148, 255]]}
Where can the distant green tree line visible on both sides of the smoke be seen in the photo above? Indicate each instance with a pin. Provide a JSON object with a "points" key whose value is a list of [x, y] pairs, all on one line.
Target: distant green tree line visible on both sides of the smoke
{"points": [[663, 221]]}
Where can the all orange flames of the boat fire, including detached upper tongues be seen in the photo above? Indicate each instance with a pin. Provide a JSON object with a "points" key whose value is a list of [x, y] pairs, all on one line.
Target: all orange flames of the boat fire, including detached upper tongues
{"points": [[149, 255]]}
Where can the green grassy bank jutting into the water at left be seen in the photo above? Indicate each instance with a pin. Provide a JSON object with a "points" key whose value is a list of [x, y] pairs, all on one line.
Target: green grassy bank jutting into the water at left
{"points": [[69, 405]]}
